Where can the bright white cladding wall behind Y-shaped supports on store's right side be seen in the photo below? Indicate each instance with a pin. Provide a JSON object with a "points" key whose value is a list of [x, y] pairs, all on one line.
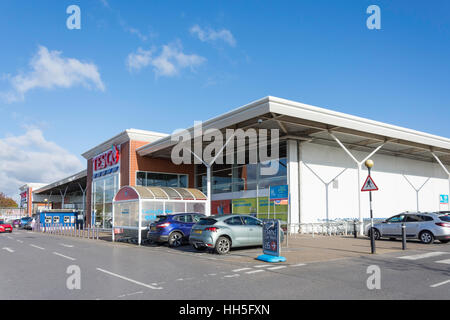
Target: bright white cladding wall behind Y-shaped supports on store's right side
{"points": [[395, 195]]}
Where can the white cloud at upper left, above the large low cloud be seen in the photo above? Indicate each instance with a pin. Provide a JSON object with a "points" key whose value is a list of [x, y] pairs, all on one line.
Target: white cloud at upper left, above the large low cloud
{"points": [[50, 70]]}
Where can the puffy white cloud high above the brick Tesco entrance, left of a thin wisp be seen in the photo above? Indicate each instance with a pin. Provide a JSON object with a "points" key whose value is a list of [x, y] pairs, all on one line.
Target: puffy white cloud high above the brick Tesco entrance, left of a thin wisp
{"points": [[169, 62]]}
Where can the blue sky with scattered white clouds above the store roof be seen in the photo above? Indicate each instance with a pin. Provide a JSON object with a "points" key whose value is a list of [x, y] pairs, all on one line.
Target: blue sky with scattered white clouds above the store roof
{"points": [[160, 65]]}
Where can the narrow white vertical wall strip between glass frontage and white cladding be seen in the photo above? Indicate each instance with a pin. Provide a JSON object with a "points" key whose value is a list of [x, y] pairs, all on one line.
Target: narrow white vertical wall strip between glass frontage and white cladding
{"points": [[294, 185]]}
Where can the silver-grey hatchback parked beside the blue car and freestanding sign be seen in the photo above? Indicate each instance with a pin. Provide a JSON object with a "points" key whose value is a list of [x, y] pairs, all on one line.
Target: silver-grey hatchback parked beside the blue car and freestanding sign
{"points": [[223, 232]]}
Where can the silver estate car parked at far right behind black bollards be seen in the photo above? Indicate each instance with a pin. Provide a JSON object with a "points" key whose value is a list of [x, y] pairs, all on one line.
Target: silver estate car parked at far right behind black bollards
{"points": [[426, 227]]}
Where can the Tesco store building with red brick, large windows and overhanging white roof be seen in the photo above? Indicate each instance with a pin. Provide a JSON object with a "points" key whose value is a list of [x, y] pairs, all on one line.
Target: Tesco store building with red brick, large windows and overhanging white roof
{"points": [[321, 160]]}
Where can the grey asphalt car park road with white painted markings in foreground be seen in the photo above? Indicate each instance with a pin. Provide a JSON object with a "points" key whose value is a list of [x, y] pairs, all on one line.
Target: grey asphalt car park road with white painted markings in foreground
{"points": [[38, 266]]}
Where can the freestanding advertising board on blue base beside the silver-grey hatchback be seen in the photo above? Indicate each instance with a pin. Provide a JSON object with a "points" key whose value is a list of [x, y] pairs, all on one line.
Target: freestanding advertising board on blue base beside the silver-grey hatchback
{"points": [[271, 242]]}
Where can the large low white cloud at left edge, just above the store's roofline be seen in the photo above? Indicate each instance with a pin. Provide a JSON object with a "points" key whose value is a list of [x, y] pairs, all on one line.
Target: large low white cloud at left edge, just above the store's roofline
{"points": [[31, 158]]}
